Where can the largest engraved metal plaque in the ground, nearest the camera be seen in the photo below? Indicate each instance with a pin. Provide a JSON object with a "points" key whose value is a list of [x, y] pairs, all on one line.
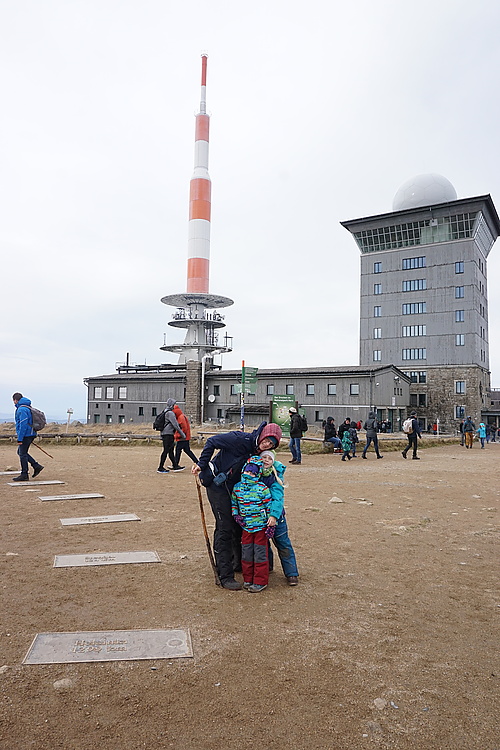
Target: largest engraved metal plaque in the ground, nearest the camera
{"points": [[108, 645]]}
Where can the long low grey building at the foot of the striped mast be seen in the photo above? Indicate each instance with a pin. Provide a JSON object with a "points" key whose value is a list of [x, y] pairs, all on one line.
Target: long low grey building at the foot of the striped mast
{"points": [[136, 394]]}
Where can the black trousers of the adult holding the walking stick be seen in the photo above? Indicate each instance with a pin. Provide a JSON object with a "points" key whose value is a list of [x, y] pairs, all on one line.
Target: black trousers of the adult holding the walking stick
{"points": [[227, 534]]}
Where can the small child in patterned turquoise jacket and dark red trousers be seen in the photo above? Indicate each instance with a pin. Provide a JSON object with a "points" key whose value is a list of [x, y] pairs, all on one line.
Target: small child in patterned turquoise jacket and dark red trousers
{"points": [[250, 507]]}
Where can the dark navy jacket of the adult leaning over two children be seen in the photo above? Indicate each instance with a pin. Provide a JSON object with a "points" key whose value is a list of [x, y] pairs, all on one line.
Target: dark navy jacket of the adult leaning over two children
{"points": [[234, 449]]}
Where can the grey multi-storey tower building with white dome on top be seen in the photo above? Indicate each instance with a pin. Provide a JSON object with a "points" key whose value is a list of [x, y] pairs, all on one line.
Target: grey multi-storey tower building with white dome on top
{"points": [[424, 303]]}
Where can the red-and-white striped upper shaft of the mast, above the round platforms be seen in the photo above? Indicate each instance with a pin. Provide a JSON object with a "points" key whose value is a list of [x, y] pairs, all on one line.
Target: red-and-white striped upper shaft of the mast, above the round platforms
{"points": [[199, 199]]}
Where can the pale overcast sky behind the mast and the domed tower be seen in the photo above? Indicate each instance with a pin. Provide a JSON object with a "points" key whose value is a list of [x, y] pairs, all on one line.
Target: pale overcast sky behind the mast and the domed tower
{"points": [[319, 112]]}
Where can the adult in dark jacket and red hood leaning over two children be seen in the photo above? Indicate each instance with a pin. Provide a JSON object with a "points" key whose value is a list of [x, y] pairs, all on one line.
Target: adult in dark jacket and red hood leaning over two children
{"points": [[219, 477]]}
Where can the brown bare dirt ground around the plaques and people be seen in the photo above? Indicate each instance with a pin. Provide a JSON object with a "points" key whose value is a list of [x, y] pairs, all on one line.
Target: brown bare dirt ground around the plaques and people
{"points": [[389, 641]]}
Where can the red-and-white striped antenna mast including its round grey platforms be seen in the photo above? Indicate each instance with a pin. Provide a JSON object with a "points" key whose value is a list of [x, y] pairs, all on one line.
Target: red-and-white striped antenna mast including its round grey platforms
{"points": [[202, 338]]}
